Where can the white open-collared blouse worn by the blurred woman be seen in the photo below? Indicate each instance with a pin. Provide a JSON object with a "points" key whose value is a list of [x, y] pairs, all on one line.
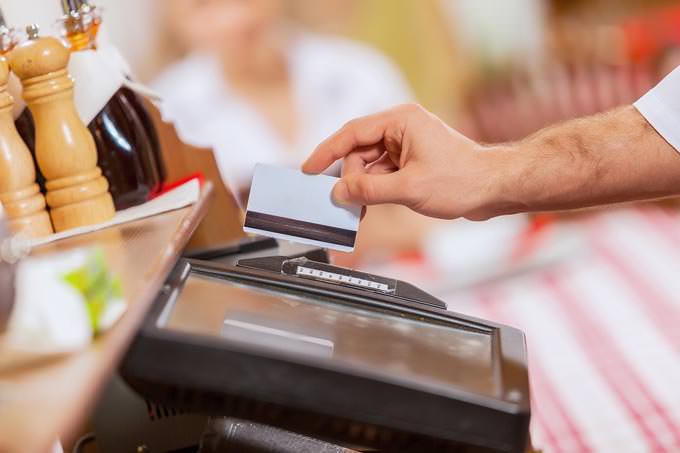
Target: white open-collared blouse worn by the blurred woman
{"points": [[334, 80]]}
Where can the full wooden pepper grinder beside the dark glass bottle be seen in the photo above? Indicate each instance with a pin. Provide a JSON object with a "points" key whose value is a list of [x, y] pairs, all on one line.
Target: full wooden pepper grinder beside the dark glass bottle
{"points": [[77, 193]]}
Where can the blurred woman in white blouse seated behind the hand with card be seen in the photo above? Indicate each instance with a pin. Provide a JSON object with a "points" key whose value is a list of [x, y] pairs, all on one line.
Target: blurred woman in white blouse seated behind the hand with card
{"points": [[256, 88]]}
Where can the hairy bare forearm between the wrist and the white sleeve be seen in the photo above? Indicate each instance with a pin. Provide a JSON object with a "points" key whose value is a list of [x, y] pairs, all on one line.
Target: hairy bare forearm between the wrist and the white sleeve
{"points": [[608, 158]]}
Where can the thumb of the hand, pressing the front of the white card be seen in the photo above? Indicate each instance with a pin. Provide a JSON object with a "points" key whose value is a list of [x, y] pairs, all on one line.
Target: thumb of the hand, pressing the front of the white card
{"points": [[369, 189]]}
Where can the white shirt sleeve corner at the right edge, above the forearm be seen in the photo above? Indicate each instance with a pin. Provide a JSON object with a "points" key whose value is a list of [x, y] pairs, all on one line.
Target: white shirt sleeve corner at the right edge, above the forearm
{"points": [[661, 107]]}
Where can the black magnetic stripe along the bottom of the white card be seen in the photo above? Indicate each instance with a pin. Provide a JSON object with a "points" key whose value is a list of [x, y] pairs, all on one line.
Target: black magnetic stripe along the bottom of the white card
{"points": [[298, 228]]}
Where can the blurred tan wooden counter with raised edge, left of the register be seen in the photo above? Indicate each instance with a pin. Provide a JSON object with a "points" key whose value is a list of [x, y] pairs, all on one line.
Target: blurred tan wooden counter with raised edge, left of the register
{"points": [[46, 401]]}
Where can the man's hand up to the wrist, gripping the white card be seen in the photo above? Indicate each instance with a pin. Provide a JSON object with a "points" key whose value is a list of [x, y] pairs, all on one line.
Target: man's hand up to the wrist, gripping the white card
{"points": [[410, 157]]}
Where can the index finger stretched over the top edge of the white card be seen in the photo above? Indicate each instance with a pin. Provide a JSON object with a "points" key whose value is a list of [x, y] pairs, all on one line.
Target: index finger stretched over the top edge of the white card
{"points": [[366, 131]]}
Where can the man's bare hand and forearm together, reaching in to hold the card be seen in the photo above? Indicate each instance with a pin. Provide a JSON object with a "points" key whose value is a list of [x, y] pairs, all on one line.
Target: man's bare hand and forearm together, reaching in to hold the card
{"points": [[407, 156]]}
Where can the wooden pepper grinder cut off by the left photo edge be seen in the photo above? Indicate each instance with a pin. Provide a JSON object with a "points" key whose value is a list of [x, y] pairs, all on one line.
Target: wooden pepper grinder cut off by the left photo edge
{"points": [[19, 194]]}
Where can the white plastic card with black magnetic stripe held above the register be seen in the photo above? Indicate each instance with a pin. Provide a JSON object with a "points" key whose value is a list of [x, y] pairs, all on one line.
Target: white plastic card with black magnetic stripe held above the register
{"points": [[285, 203]]}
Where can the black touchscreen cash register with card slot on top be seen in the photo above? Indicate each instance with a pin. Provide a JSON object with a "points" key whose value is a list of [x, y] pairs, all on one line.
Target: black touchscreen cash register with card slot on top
{"points": [[296, 343]]}
